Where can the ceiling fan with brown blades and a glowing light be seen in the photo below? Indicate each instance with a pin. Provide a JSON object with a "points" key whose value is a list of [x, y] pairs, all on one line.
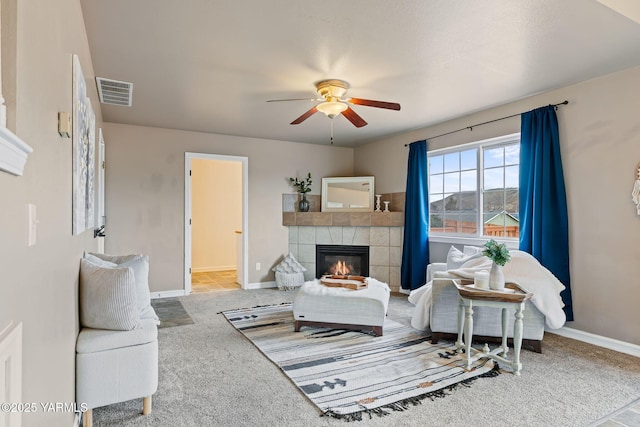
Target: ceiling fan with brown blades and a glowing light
{"points": [[331, 93]]}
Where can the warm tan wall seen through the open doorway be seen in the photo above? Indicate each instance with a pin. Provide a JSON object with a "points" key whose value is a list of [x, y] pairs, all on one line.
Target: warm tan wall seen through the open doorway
{"points": [[216, 209]]}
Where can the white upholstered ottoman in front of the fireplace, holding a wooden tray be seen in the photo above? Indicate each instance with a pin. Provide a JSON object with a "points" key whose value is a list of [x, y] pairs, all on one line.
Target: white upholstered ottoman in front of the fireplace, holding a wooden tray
{"points": [[342, 308]]}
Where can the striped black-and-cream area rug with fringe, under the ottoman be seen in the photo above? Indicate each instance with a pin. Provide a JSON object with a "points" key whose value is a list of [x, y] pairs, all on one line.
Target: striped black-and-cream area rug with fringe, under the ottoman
{"points": [[347, 374]]}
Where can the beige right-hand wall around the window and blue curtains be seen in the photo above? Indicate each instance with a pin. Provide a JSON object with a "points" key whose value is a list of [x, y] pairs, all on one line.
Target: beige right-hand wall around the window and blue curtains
{"points": [[600, 143]]}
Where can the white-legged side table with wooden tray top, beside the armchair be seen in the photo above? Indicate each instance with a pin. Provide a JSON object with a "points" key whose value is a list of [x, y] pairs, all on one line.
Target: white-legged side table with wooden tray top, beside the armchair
{"points": [[514, 297]]}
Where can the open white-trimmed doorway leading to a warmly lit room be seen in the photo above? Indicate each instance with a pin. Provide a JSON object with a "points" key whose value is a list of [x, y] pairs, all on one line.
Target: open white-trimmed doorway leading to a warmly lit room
{"points": [[216, 220]]}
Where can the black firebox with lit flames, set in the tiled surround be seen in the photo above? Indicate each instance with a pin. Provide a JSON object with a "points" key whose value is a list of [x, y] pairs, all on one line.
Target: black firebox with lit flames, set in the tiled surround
{"points": [[342, 259]]}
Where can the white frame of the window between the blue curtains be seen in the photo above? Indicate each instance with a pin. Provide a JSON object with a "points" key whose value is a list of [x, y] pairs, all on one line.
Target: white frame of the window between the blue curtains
{"points": [[477, 239]]}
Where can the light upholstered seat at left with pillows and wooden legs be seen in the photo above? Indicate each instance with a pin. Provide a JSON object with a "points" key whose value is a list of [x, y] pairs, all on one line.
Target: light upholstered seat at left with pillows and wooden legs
{"points": [[117, 347]]}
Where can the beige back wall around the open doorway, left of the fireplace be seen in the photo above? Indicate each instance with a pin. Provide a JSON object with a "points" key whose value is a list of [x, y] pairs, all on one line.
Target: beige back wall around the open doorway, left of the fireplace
{"points": [[145, 193]]}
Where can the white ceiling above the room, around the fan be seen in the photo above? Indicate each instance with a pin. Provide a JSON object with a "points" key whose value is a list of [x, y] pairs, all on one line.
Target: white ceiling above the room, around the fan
{"points": [[211, 65]]}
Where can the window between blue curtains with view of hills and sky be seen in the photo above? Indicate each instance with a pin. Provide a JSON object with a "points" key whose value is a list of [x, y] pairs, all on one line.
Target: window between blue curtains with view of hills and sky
{"points": [[473, 189]]}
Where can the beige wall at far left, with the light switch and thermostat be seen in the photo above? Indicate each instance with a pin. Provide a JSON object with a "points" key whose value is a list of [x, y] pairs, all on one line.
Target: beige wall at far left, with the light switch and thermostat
{"points": [[39, 284]]}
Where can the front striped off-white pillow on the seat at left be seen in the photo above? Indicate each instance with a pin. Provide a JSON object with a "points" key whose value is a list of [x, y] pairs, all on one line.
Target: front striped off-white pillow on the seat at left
{"points": [[108, 297]]}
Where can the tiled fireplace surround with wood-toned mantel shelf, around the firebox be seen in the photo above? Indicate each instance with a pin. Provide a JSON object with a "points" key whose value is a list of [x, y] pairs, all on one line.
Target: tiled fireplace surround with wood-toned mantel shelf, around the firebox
{"points": [[382, 232]]}
